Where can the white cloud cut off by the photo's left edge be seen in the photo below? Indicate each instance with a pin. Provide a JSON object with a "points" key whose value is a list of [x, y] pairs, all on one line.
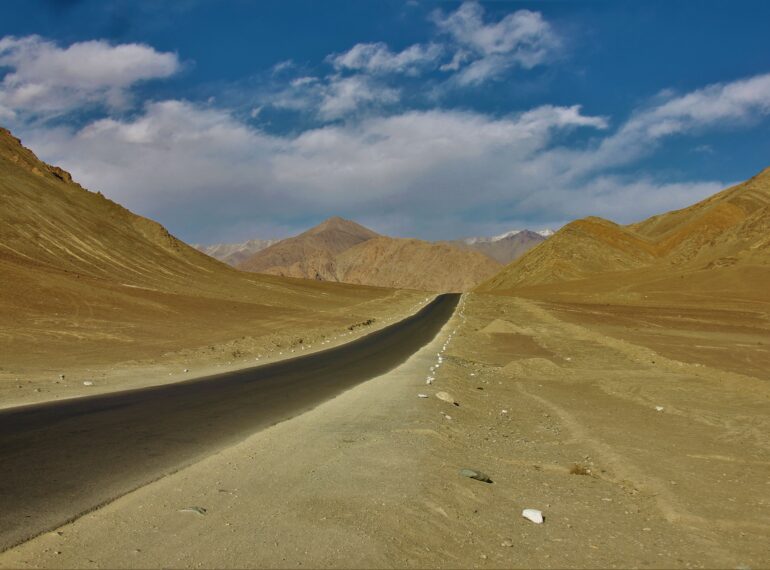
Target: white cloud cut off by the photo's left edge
{"points": [[44, 78]]}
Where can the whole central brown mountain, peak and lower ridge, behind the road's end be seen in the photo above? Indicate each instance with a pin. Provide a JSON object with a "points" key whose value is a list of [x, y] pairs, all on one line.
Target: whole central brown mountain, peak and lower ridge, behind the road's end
{"points": [[344, 251]]}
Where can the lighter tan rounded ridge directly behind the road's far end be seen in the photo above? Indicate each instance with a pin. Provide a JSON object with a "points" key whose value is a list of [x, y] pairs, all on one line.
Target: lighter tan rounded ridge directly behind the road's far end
{"points": [[413, 264]]}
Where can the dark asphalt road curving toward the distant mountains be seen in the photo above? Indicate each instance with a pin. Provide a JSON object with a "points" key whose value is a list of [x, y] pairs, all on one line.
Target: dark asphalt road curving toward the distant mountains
{"points": [[59, 460]]}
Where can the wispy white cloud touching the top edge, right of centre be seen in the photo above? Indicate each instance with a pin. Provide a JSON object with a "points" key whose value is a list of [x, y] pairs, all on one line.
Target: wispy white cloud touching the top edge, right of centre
{"points": [[523, 38]]}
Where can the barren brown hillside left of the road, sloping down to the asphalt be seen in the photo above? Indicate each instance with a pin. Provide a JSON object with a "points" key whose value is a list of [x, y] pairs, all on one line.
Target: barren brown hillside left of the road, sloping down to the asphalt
{"points": [[85, 282]]}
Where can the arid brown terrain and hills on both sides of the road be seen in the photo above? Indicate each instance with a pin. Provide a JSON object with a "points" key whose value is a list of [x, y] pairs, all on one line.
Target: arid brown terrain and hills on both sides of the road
{"points": [[614, 378]]}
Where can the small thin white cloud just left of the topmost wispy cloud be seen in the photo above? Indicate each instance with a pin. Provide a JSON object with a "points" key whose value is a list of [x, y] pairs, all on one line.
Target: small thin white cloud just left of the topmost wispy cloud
{"points": [[377, 58]]}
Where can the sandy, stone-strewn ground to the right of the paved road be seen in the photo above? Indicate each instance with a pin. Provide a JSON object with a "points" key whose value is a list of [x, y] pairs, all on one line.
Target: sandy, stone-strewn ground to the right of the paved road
{"points": [[672, 449]]}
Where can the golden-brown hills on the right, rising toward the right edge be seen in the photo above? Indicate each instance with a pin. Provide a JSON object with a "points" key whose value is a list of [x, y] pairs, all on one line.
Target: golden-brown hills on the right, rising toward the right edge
{"points": [[720, 242]]}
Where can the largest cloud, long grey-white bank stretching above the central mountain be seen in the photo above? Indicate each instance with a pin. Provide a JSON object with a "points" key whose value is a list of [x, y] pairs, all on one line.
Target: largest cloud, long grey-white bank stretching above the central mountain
{"points": [[424, 164]]}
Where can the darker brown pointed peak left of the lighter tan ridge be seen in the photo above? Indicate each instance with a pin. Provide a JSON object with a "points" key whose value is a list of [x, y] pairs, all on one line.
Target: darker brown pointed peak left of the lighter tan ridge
{"points": [[311, 254]]}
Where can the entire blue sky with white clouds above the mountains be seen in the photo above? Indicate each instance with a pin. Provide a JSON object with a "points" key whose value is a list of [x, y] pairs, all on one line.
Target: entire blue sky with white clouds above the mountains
{"points": [[233, 120]]}
